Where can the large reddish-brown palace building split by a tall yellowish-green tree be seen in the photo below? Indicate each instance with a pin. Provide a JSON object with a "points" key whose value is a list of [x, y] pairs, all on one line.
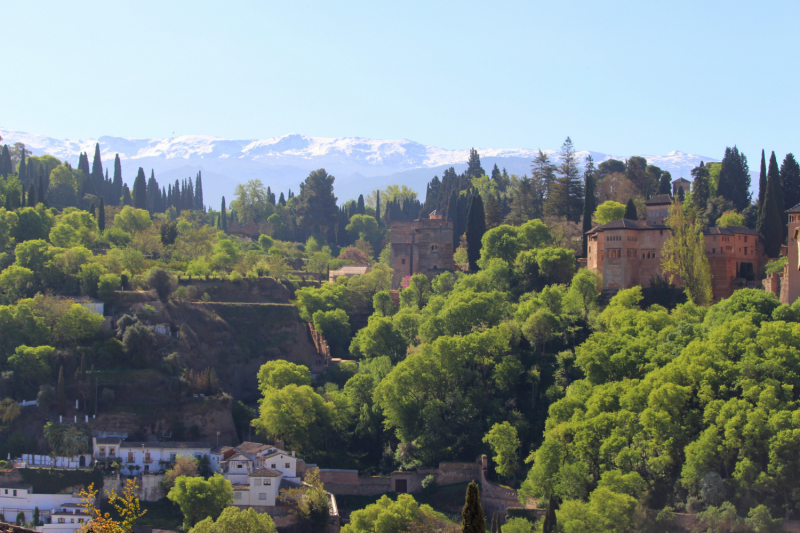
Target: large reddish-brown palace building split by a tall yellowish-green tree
{"points": [[629, 252]]}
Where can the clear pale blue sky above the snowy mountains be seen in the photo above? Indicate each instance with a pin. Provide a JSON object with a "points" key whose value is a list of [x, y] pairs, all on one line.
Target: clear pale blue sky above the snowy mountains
{"points": [[627, 78]]}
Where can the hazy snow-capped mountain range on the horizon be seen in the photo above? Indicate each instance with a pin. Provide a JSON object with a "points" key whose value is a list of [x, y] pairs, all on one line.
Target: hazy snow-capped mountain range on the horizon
{"points": [[359, 164]]}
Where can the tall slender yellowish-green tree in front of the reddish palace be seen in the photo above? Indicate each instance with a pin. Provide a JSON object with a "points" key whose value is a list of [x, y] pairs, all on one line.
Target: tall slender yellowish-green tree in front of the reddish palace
{"points": [[684, 255]]}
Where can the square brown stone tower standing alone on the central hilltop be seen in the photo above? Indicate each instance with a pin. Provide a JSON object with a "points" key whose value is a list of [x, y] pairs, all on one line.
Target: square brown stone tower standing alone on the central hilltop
{"points": [[421, 246]]}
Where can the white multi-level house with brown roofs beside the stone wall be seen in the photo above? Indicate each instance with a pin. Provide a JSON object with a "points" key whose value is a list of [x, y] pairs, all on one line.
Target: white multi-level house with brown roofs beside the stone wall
{"points": [[258, 472]]}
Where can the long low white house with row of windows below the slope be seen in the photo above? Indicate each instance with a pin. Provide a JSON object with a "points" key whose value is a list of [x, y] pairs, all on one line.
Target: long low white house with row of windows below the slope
{"points": [[146, 457]]}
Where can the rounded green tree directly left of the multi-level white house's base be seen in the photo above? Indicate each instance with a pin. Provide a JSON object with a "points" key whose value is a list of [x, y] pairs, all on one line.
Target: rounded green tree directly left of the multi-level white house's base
{"points": [[199, 499]]}
